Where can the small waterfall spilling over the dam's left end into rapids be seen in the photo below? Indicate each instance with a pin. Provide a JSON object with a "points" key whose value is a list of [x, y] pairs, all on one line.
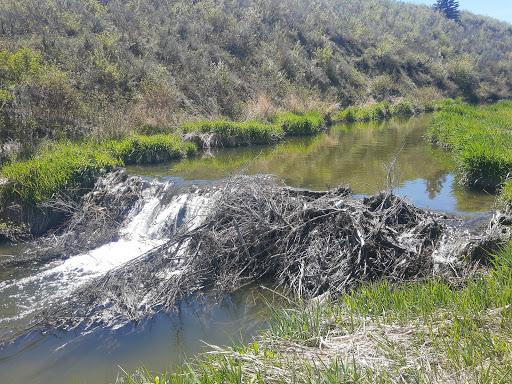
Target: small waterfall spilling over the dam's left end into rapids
{"points": [[160, 209]]}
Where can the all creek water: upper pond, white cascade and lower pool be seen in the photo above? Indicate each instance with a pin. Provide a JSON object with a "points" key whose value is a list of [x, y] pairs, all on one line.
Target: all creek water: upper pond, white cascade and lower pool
{"points": [[369, 157]]}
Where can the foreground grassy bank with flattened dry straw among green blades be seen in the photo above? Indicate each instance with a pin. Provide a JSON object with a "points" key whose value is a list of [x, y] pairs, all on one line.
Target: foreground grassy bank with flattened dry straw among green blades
{"points": [[430, 332]]}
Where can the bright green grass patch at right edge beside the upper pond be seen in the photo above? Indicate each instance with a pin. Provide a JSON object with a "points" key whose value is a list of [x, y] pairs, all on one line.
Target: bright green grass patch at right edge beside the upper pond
{"points": [[480, 139]]}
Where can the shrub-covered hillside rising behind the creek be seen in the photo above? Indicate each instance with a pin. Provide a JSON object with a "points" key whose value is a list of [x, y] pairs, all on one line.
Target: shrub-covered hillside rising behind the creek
{"points": [[72, 68]]}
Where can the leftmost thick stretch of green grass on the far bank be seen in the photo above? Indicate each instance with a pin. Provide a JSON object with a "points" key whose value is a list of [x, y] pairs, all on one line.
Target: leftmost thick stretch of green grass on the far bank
{"points": [[72, 168]]}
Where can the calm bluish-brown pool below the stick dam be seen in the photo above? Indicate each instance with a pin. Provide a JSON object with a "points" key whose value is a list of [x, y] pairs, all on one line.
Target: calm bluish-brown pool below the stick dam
{"points": [[101, 355]]}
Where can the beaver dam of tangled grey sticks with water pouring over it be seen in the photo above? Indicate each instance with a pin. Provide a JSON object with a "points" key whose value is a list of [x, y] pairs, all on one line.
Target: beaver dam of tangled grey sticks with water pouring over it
{"points": [[220, 237]]}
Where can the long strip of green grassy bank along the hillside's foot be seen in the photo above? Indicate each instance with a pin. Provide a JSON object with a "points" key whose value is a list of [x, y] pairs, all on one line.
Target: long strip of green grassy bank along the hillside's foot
{"points": [[66, 170]]}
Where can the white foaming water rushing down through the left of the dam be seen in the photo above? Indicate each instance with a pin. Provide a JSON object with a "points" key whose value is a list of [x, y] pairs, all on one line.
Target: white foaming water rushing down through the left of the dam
{"points": [[149, 224]]}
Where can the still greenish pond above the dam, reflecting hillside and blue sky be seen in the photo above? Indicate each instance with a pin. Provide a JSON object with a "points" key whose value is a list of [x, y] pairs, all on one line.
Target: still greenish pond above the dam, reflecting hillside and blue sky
{"points": [[358, 154]]}
